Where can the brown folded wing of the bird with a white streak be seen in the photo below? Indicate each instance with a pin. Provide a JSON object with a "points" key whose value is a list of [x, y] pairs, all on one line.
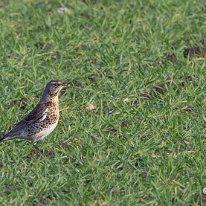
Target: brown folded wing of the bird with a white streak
{"points": [[39, 113]]}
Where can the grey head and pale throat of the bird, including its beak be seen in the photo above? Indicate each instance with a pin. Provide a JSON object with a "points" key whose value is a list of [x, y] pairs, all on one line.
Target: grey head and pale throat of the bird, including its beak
{"points": [[52, 90]]}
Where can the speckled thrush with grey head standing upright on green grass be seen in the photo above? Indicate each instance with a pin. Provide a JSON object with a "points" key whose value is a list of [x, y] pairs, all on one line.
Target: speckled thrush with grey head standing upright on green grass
{"points": [[43, 119]]}
